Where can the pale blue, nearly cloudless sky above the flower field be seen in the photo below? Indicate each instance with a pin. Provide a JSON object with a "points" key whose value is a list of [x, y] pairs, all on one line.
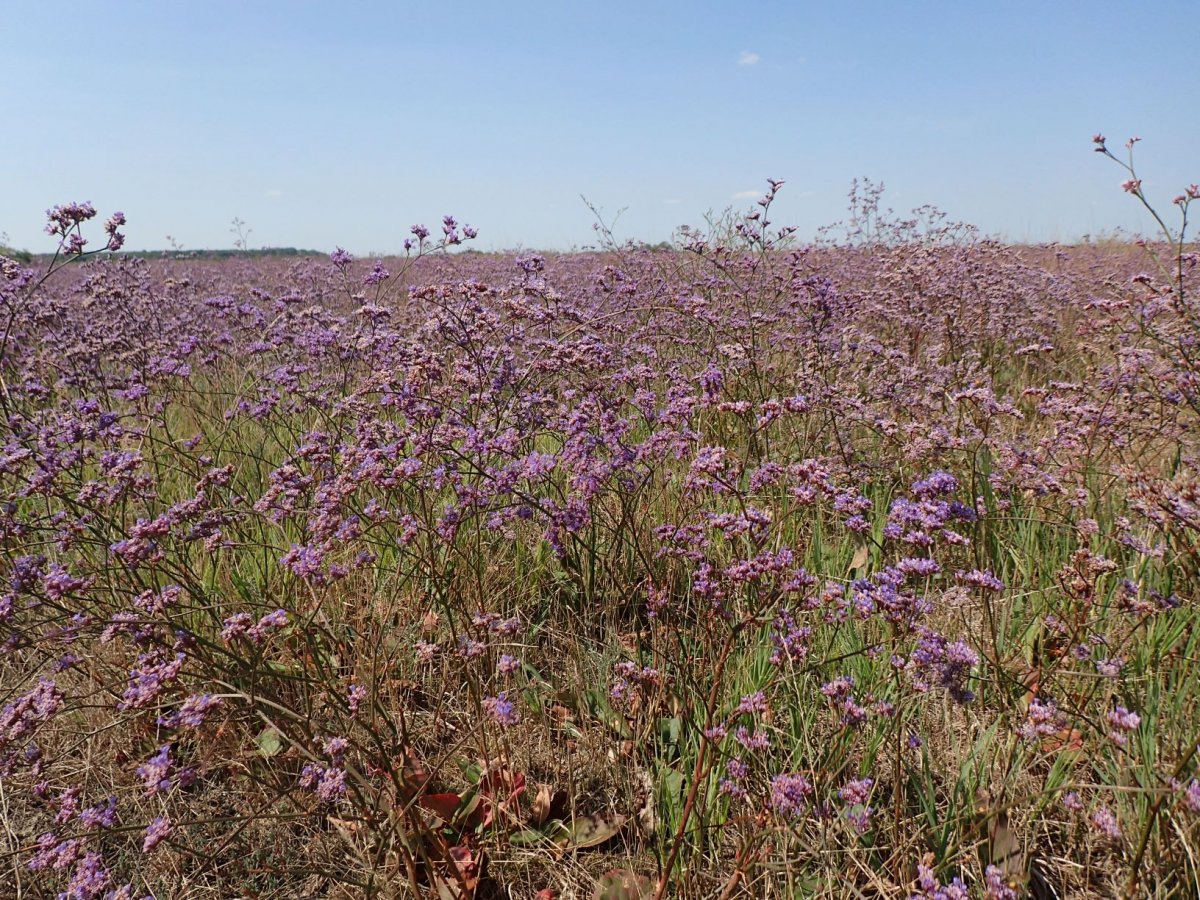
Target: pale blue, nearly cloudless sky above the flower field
{"points": [[323, 127]]}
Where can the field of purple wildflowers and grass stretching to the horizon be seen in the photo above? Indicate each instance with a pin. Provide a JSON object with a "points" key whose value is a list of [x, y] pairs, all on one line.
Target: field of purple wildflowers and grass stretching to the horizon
{"points": [[859, 569]]}
